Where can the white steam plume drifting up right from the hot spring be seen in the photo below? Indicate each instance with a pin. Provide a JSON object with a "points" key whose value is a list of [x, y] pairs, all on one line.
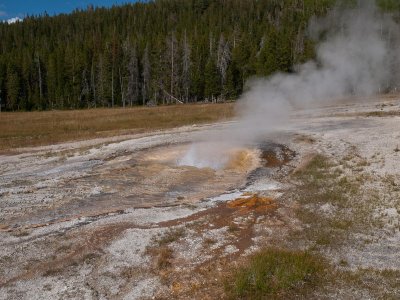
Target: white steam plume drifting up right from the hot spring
{"points": [[356, 57]]}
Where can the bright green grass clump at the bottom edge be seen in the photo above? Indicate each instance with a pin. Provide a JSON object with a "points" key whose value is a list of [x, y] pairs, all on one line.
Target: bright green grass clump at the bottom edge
{"points": [[275, 273]]}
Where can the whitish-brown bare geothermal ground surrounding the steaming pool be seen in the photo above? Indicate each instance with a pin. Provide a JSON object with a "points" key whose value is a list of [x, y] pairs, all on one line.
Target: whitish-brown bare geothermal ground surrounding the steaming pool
{"points": [[118, 218]]}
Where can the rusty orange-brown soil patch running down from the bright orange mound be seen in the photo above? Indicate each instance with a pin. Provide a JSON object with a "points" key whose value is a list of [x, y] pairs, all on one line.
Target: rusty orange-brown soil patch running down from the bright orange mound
{"points": [[205, 281]]}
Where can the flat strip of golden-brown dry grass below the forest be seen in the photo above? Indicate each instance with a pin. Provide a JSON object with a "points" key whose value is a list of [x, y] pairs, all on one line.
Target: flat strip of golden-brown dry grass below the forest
{"points": [[24, 129]]}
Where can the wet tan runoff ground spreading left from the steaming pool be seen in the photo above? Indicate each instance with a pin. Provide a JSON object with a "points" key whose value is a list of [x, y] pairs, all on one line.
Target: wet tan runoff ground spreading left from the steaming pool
{"points": [[64, 189]]}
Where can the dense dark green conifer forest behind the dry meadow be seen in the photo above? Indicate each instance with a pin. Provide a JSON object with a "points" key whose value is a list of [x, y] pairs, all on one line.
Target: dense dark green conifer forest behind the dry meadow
{"points": [[162, 51]]}
